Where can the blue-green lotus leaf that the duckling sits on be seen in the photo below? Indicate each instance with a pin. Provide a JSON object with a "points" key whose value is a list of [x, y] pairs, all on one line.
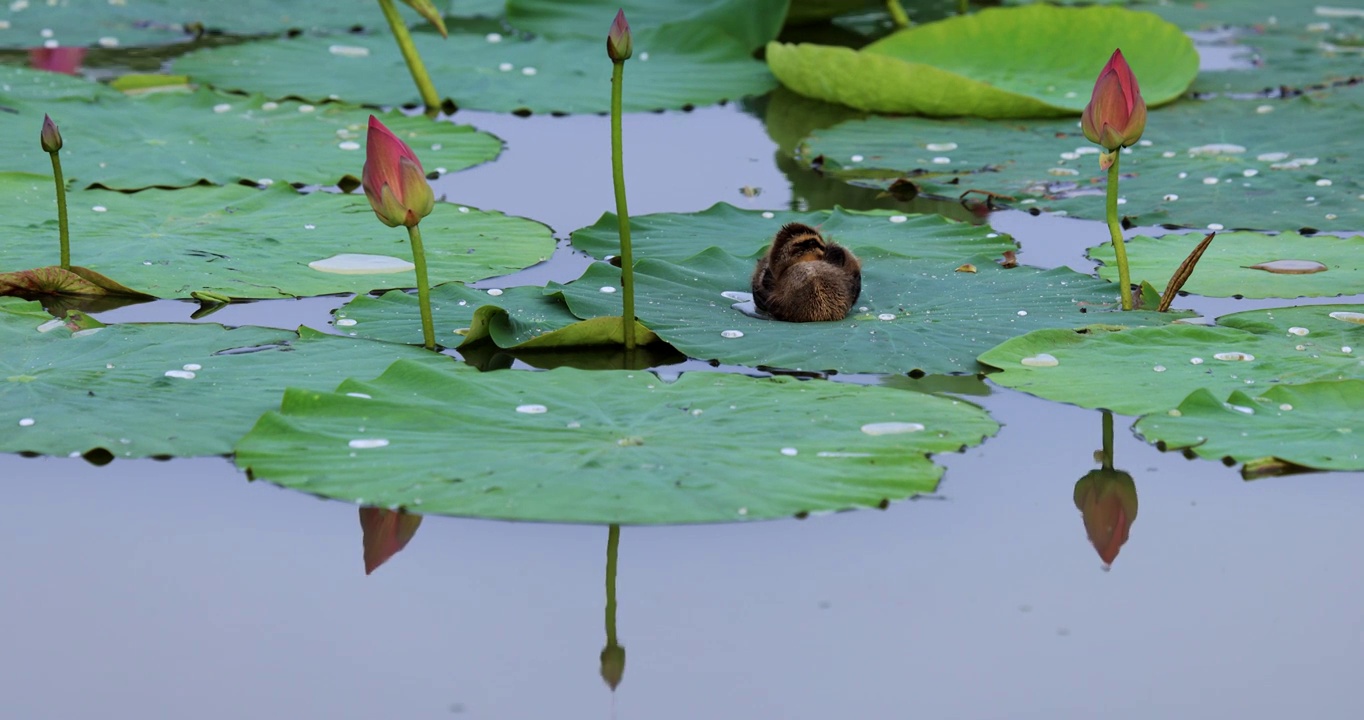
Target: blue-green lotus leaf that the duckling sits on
{"points": [[915, 316]]}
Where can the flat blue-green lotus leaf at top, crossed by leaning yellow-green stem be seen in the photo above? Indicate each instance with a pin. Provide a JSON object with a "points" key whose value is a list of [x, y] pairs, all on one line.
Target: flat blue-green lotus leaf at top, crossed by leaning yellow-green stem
{"points": [[690, 66]]}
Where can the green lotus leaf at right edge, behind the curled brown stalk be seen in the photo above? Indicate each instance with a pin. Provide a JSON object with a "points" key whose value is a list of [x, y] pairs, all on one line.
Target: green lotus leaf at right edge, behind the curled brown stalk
{"points": [[1247, 265]]}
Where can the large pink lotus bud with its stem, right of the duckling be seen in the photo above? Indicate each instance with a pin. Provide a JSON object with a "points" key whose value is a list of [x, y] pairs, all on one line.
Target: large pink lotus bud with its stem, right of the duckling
{"points": [[1115, 119]]}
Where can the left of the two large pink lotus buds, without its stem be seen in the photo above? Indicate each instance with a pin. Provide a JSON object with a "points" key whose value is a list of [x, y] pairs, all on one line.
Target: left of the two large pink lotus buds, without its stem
{"points": [[394, 179]]}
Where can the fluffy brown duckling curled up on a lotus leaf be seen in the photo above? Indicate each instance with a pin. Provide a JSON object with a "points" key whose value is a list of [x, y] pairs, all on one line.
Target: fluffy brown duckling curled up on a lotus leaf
{"points": [[807, 279]]}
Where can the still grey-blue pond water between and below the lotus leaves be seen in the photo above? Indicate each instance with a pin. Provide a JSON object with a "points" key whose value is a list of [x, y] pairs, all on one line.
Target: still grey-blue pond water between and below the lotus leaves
{"points": [[178, 590]]}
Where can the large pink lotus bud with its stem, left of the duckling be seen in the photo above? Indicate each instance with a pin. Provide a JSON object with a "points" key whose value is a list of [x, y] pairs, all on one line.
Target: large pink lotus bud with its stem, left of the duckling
{"points": [[399, 193]]}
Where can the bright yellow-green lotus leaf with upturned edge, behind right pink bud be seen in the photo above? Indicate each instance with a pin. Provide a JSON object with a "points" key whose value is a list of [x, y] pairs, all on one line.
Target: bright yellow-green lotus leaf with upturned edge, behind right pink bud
{"points": [[970, 65]]}
